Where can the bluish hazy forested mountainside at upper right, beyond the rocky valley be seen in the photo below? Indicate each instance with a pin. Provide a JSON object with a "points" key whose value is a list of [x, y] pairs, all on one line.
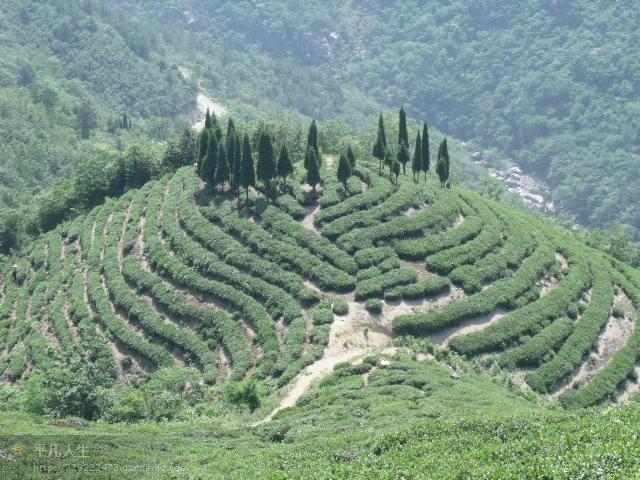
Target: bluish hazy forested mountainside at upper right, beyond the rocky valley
{"points": [[551, 83]]}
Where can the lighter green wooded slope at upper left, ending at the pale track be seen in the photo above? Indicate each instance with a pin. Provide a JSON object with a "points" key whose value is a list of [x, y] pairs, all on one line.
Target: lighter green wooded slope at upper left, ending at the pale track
{"points": [[67, 70]]}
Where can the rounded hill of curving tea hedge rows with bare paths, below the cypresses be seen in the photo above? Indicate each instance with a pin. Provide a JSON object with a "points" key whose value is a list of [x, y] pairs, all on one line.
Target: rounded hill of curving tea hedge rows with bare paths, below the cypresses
{"points": [[172, 274]]}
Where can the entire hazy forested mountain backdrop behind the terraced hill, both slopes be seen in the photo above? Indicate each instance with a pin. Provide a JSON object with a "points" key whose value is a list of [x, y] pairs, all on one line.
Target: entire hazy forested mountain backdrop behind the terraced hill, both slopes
{"points": [[512, 79]]}
